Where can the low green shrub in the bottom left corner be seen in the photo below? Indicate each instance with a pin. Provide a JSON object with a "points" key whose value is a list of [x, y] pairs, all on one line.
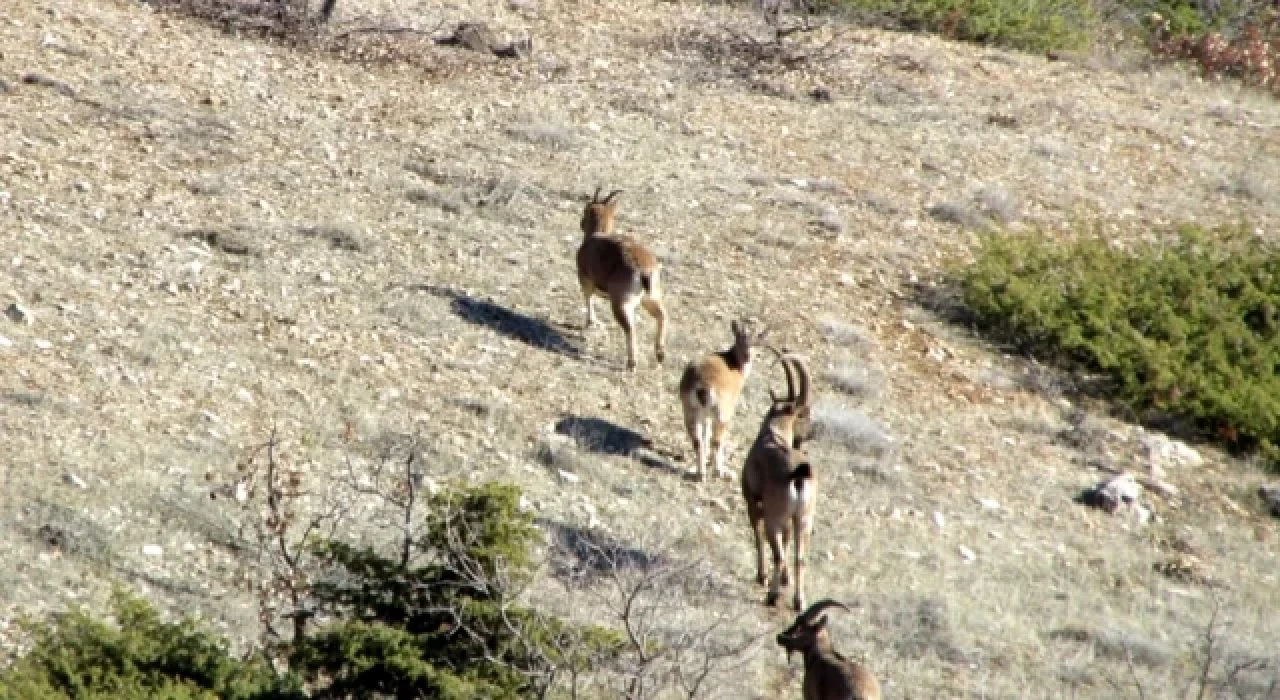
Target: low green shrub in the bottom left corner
{"points": [[139, 658]]}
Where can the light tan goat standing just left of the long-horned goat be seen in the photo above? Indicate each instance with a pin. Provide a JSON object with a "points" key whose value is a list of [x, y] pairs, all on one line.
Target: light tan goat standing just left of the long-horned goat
{"points": [[710, 391]]}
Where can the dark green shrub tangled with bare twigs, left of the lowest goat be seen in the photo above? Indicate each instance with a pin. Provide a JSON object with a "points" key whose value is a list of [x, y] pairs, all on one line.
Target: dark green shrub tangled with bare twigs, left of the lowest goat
{"points": [[437, 620]]}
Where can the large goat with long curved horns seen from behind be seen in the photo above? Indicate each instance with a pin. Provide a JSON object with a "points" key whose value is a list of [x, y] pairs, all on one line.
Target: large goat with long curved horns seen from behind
{"points": [[779, 484]]}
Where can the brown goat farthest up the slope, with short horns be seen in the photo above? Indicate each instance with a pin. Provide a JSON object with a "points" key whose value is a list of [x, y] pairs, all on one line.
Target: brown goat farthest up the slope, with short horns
{"points": [[621, 269]]}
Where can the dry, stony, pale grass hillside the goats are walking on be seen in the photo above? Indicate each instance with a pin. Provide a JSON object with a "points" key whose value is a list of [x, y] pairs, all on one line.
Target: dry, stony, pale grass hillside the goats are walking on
{"points": [[217, 236]]}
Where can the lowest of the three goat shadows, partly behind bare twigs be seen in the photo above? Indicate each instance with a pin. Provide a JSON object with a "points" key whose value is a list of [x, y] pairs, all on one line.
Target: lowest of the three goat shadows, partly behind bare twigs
{"points": [[583, 556]]}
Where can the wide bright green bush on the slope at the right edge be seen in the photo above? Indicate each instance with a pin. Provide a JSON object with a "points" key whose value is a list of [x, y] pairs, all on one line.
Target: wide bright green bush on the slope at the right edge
{"points": [[1186, 330]]}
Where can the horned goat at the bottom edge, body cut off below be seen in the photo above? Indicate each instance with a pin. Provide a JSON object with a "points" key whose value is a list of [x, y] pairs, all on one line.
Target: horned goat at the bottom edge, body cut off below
{"points": [[828, 675]]}
